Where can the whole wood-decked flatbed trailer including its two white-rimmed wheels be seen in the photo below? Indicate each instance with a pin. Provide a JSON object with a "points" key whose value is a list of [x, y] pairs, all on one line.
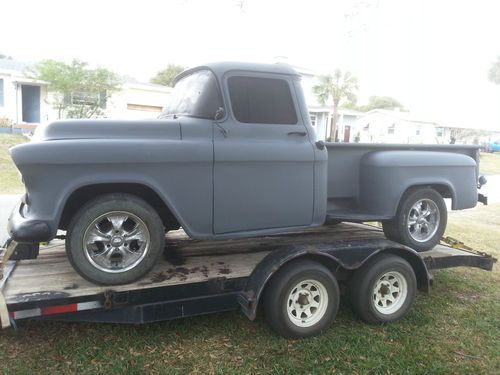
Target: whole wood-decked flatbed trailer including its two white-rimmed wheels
{"points": [[296, 279]]}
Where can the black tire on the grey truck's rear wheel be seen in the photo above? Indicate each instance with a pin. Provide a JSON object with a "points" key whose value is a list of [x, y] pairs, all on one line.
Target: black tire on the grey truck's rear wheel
{"points": [[398, 230]]}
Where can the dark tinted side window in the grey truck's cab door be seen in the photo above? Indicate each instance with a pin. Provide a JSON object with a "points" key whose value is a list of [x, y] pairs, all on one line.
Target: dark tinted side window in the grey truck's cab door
{"points": [[261, 100]]}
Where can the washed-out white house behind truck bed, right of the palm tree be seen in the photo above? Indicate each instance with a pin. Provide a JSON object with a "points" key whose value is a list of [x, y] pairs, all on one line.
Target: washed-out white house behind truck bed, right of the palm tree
{"points": [[393, 126]]}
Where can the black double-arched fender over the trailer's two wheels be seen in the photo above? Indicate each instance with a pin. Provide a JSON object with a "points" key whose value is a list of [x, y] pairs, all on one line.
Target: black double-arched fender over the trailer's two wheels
{"points": [[344, 255]]}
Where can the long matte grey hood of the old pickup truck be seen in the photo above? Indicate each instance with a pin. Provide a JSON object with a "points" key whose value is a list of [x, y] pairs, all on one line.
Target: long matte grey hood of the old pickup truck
{"points": [[108, 129]]}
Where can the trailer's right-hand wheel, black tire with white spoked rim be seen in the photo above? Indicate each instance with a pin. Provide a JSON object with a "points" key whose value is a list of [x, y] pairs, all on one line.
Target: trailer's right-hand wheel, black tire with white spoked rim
{"points": [[363, 285]]}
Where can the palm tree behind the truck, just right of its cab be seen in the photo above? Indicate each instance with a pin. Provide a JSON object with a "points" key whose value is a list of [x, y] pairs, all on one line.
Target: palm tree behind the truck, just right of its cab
{"points": [[336, 87]]}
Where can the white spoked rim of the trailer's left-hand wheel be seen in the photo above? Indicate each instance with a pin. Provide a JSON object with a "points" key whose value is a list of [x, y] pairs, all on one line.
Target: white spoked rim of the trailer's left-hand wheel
{"points": [[307, 303]]}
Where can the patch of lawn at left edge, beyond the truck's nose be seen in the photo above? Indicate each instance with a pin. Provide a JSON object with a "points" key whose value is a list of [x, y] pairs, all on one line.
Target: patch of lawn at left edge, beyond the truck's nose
{"points": [[10, 182]]}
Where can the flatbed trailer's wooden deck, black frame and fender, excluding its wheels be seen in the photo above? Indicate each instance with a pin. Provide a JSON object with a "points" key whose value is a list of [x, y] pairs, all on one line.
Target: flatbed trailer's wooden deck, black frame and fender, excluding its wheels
{"points": [[200, 277]]}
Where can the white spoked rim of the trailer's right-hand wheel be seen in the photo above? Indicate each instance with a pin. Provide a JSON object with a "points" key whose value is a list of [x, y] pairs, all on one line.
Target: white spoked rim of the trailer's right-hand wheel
{"points": [[390, 292]]}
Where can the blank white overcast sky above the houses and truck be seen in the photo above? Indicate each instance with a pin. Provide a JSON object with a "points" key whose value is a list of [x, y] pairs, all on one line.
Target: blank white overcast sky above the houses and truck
{"points": [[432, 56]]}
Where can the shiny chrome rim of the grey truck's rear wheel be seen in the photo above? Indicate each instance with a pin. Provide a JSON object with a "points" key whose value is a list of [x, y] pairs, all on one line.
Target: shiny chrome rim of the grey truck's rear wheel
{"points": [[423, 220]]}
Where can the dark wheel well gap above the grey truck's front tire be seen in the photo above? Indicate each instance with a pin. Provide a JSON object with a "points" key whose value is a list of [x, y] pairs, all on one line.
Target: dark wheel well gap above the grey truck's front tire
{"points": [[84, 194]]}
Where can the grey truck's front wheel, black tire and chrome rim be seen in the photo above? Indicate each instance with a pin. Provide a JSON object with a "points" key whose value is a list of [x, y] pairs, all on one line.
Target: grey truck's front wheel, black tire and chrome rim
{"points": [[115, 239]]}
